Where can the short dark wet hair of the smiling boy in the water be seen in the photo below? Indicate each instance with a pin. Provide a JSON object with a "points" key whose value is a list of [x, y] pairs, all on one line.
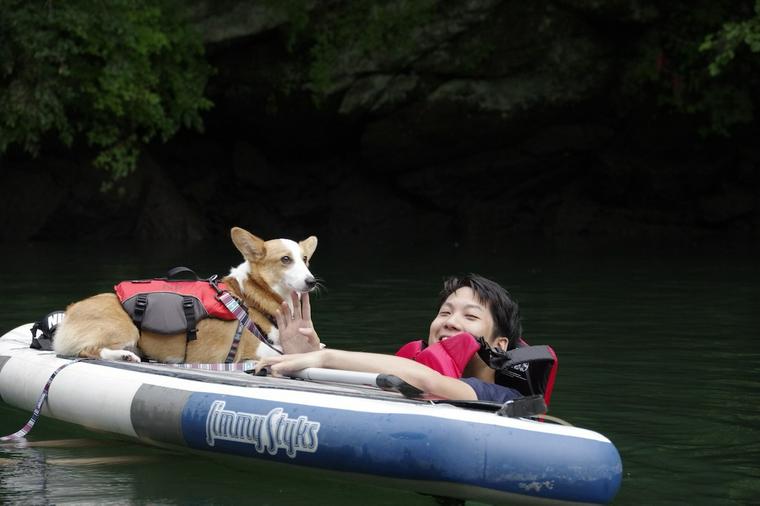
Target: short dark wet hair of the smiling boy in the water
{"points": [[504, 310]]}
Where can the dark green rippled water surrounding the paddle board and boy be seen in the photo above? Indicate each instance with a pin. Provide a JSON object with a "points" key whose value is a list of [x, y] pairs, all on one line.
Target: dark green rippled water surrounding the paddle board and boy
{"points": [[659, 351]]}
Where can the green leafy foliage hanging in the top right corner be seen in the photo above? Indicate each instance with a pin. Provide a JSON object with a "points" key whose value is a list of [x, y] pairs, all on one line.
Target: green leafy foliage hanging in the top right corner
{"points": [[684, 63]]}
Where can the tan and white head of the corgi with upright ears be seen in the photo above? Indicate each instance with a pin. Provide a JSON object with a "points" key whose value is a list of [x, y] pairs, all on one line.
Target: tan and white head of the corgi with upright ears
{"points": [[281, 264]]}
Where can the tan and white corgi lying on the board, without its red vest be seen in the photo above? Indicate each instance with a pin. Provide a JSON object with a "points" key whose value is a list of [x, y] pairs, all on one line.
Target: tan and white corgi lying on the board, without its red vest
{"points": [[99, 327]]}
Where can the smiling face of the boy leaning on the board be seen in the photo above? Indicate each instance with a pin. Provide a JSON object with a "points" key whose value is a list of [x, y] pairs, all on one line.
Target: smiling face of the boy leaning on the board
{"points": [[462, 312]]}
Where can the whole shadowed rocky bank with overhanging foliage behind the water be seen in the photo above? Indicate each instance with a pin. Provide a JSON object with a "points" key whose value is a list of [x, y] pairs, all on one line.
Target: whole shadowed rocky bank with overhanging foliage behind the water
{"points": [[483, 121]]}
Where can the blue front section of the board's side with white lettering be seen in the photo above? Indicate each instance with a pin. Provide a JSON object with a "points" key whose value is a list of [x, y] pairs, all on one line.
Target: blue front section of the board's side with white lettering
{"points": [[404, 446]]}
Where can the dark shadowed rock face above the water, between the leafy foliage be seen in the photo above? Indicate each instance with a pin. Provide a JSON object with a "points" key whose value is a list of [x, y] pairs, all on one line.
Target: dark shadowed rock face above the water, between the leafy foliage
{"points": [[495, 119]]}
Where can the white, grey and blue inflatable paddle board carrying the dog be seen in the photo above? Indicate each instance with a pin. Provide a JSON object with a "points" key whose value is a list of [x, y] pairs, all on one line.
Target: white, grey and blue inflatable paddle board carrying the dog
{"points": [[428, 447]]}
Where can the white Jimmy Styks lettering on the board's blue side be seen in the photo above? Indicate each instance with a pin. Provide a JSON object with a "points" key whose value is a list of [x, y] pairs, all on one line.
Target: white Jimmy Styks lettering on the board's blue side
{"points": [[269, 433]]}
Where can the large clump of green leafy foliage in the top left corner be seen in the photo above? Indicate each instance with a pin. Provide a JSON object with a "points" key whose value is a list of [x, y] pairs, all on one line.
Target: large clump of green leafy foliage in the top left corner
{"points": [[114, 74]]}
